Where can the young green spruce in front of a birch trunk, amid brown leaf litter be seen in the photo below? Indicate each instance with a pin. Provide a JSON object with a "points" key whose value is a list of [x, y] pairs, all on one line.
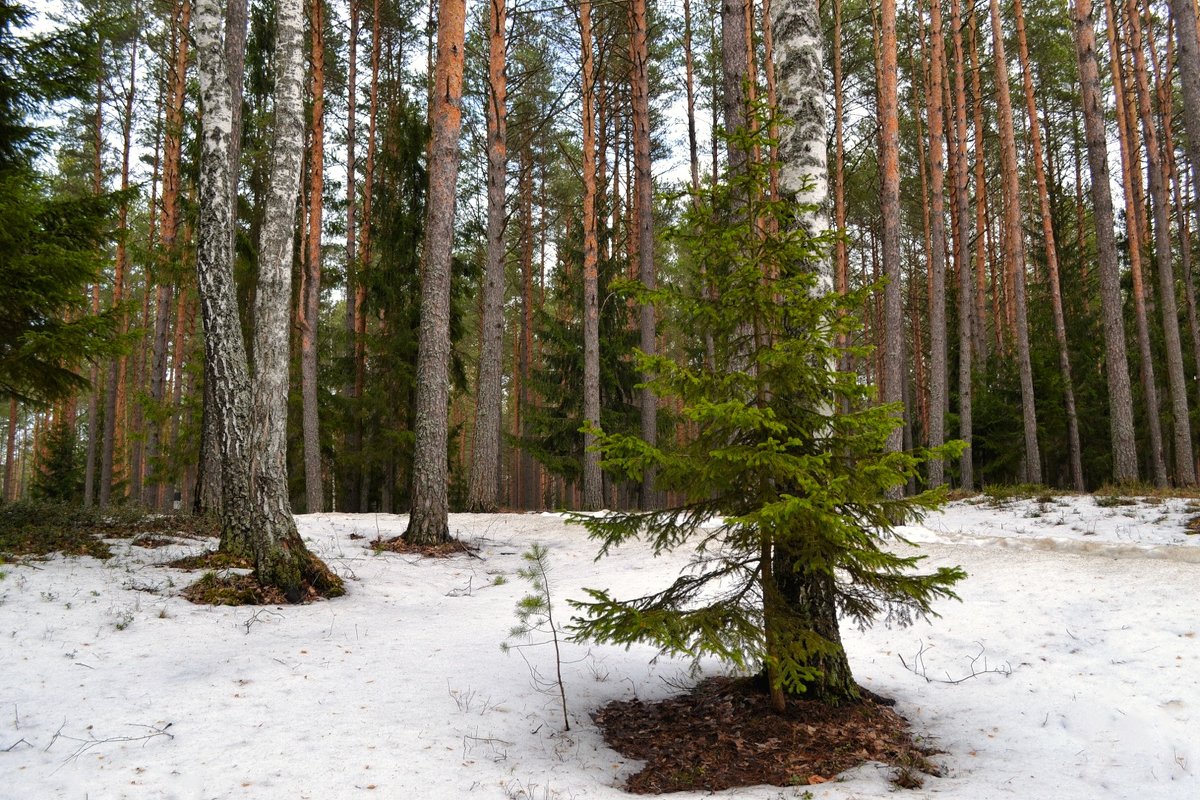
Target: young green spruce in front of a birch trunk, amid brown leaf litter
{"points": [[787, 454]]}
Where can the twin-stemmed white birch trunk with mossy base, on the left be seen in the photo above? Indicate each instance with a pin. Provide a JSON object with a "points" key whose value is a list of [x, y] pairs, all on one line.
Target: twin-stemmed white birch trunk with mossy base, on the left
{"points": [[256, 516]]}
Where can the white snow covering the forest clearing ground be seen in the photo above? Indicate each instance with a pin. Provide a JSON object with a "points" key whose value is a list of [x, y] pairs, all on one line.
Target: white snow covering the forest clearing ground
{"points": [[1079, 619]]}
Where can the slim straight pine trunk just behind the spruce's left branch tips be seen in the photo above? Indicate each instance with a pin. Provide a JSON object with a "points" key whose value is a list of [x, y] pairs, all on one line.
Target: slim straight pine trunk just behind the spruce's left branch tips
{"points": [[592, 498]]}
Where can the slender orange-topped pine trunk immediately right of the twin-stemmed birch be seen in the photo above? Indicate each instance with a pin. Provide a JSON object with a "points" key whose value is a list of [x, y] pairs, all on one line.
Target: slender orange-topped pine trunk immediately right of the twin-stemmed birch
{"points": [[309, 310]]}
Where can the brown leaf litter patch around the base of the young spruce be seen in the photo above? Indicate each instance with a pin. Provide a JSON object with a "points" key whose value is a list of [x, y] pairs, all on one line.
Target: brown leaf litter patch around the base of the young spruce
{"points": [[724, 735]]}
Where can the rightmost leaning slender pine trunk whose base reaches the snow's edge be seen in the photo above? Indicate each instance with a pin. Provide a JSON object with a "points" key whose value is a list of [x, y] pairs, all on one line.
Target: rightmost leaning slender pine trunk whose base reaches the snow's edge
{"points": [[1185, 462]]}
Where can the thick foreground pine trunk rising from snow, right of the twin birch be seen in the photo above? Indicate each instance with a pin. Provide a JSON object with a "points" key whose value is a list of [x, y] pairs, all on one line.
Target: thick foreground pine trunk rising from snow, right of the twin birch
{"points": [[429, 521]]}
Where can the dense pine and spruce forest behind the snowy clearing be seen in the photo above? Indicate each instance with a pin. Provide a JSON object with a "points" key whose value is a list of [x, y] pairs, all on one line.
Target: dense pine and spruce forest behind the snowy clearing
{"points": [[1041, 244]]}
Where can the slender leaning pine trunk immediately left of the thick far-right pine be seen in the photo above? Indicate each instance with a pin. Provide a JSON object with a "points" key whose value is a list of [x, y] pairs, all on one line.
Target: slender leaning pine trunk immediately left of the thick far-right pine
{"points": [[1052, 251]]}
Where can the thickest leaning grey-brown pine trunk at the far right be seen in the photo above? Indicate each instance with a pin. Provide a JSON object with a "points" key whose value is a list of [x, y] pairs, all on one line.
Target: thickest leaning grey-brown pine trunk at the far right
{"points": [[1117, 369]]}
